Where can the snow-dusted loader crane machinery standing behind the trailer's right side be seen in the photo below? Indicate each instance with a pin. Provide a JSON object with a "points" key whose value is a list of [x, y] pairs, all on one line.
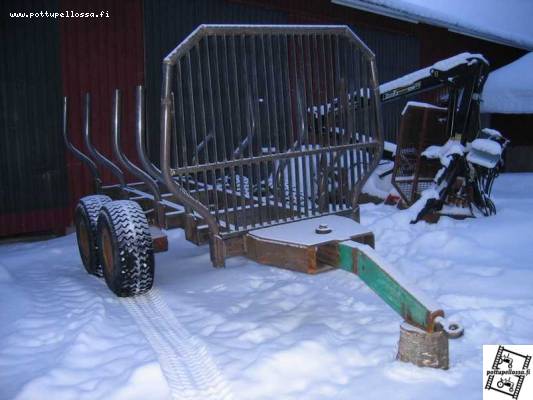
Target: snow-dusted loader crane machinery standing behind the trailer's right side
{"points": [[442, 155]]}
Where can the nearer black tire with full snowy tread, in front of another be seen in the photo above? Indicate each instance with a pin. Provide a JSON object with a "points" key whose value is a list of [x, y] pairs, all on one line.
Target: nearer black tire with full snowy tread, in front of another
{"points": [[125, 248]]}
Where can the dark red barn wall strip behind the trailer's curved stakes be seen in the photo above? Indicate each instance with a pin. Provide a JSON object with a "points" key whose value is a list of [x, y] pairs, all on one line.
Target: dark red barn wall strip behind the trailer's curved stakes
{"points": [[97, 56]]}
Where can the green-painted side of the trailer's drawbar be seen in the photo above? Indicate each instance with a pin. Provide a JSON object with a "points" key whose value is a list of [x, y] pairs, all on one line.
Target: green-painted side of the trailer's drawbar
{"points": [[396, 296]]}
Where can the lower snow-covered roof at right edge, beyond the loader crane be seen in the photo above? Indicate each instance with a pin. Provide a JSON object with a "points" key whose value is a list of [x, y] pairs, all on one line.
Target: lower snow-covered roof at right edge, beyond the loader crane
{"points": [[509, 89]]}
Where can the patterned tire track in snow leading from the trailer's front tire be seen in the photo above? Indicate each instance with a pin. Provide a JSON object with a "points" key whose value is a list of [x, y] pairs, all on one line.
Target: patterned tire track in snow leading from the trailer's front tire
{"points": [[185, 361]]}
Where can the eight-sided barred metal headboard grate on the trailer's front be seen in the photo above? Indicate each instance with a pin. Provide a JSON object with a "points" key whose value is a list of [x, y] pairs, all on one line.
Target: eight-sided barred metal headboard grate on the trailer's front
{"points": [[265, 124]]}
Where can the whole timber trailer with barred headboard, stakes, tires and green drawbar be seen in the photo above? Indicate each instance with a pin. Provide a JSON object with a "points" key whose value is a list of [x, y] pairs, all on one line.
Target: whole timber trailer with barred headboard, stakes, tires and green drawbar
{"points": [[245, 164]]}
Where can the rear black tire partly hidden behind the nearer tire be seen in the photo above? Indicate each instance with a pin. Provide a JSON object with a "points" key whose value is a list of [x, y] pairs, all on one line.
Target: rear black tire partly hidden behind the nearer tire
{"points": [[85, 220]]}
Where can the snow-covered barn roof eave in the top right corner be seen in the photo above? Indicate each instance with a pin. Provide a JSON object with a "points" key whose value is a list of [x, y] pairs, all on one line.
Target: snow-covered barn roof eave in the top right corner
{"points": [[507, 22]]}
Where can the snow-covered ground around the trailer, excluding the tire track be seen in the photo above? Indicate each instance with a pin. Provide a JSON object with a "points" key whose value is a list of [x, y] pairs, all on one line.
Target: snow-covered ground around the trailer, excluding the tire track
{"points": [[271, 333]]}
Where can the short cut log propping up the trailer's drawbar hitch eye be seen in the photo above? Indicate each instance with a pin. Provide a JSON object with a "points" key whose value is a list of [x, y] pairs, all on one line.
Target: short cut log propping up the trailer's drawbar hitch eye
{"points": [[422, 348]]}
